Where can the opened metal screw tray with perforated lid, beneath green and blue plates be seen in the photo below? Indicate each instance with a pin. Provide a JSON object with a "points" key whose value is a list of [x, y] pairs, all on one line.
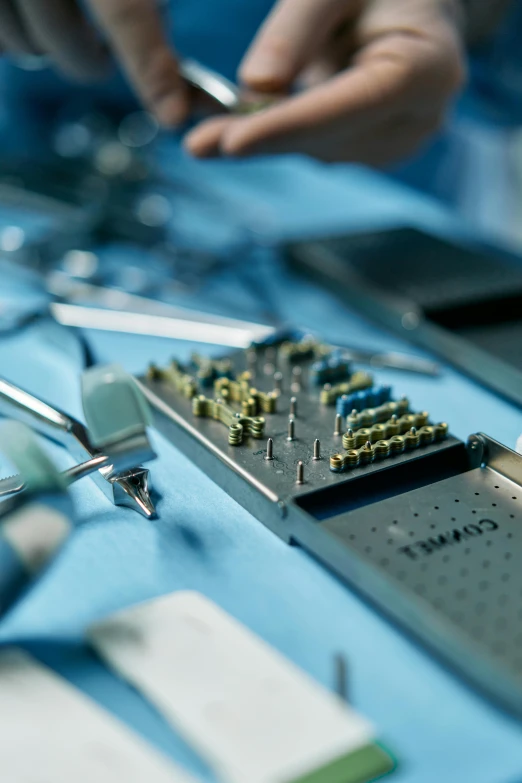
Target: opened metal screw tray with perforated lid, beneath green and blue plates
{"points": [[434, 537]]}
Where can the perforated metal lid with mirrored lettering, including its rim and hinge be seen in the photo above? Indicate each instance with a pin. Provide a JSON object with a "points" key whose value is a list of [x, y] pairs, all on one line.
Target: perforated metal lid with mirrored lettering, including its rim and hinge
{"points": [[444, 559]]}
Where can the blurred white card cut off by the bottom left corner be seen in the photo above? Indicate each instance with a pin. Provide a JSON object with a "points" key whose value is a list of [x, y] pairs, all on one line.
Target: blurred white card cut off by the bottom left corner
{"points": [[51, 733]]}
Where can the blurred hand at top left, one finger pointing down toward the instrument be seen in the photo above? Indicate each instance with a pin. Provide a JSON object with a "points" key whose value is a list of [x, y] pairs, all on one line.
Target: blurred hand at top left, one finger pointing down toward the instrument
{"points": [[132, 29]]}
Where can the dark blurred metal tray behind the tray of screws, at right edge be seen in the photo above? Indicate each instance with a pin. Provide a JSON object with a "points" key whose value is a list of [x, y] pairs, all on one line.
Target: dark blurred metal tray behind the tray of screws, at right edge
{"points": [[461, 301]]}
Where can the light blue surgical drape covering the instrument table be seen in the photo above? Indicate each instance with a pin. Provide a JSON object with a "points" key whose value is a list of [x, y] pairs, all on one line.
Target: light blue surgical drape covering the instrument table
{"points": [[205, 541]]}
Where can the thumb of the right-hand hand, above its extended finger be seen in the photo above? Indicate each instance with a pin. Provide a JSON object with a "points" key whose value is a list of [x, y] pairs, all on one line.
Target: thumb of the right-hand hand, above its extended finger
{"points": [[289, 39]]}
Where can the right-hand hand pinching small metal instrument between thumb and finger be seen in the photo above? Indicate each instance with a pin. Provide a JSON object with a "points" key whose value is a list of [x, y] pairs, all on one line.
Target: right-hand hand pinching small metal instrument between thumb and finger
{"points": [[378, 75]]}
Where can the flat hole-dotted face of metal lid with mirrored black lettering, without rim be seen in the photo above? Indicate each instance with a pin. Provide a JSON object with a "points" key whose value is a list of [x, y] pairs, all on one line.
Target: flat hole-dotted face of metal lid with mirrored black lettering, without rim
{"points": [[475, 581]]}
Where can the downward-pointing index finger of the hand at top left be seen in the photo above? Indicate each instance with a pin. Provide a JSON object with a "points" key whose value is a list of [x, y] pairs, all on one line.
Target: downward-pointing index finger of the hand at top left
{"points": [[135, 32]]}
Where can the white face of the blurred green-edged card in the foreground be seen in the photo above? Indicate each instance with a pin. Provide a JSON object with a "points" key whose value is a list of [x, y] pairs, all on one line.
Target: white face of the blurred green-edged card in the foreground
{"points": [[255, 716]]}
